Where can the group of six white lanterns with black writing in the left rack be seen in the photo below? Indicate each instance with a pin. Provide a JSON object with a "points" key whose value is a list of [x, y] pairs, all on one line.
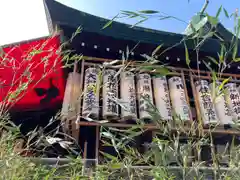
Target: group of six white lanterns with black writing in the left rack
{"points": [[131, 94]]}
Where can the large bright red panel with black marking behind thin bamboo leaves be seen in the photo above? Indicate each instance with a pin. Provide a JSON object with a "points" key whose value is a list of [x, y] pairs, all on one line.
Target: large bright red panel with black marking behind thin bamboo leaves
{"points": [[31, 75]]}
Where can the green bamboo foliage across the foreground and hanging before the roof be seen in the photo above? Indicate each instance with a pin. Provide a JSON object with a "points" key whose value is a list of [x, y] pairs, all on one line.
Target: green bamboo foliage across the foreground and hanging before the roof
{"points": [[167, 144]]}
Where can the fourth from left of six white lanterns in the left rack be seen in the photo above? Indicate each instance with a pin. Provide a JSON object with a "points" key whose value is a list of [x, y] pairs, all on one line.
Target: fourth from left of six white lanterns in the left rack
{"points": [[144, 95]]}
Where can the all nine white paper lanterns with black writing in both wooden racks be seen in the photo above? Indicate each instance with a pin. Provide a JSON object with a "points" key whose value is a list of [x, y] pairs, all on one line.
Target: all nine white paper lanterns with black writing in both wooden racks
{"points": [[169, 95]]}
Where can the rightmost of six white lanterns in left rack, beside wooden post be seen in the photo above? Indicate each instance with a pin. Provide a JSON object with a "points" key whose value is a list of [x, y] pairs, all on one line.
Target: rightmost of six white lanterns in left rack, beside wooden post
{"points": [[178, 98]]}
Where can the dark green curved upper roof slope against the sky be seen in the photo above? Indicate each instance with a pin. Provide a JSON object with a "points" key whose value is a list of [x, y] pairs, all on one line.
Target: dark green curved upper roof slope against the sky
{"points": [[64, 15]]}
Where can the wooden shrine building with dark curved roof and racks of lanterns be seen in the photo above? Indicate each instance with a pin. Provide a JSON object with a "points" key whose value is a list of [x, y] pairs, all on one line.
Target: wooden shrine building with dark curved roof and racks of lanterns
{"points": [[103, 46]]}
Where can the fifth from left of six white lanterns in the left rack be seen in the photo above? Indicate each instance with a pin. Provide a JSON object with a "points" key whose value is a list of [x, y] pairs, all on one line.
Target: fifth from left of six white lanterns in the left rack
{"points": [[162, 99]]}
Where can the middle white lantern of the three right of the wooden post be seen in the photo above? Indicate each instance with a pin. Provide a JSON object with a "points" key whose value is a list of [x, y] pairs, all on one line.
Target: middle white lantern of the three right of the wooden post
{"points": [[220, 104]]}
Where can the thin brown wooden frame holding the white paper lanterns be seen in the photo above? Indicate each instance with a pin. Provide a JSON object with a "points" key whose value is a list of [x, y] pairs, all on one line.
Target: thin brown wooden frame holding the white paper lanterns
{"points": [[183, 73]]}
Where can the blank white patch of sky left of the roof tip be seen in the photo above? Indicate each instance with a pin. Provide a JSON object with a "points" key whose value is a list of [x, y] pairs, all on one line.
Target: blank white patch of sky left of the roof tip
{"points": [[22, 20]]}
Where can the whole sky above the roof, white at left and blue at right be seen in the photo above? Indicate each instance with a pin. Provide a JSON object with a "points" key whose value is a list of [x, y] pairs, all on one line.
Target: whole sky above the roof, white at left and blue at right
{"points": [[25, 19]]}
